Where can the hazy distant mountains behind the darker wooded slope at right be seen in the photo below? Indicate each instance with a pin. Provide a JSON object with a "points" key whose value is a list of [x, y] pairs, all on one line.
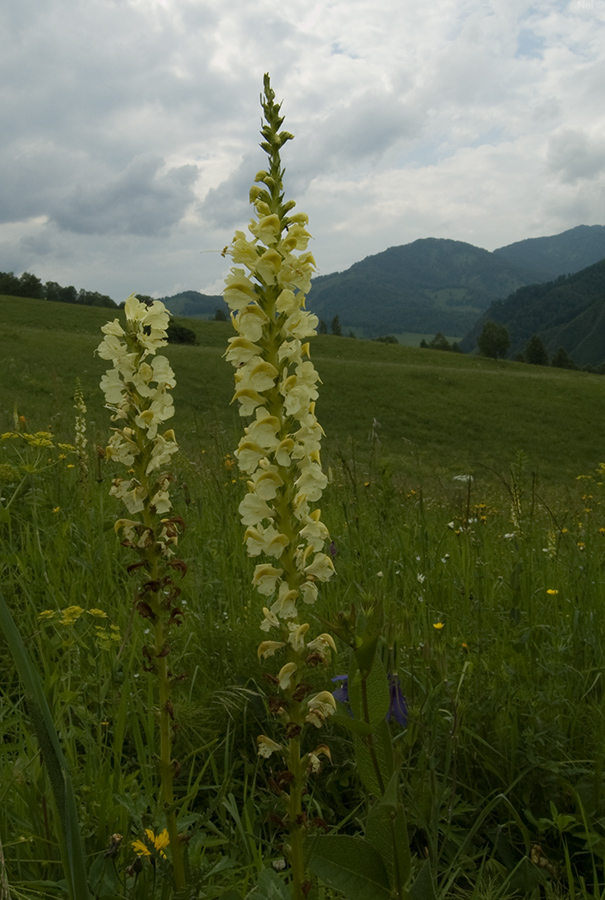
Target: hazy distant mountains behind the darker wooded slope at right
{"points": [[431, 284]]}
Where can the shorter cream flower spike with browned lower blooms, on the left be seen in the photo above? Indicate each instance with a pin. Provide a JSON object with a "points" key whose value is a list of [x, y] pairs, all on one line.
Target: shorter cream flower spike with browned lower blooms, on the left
{"points": [[136, 389]]}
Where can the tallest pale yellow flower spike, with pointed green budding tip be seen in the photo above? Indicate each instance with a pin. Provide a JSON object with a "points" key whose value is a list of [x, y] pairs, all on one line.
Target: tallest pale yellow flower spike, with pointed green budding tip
{"points": [[276, 382]]}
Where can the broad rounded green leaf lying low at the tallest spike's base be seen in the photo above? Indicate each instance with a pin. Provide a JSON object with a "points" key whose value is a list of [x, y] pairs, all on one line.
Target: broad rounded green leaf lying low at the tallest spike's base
{"points": [[350, 865]]}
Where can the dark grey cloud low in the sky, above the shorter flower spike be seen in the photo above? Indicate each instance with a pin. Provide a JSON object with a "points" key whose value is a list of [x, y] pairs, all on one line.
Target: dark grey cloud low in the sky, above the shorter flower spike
{"points": [[140, 200]]}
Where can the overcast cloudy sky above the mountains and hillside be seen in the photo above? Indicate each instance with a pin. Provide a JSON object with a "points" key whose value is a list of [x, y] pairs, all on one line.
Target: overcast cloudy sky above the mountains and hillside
{"points": [[129, 128]]}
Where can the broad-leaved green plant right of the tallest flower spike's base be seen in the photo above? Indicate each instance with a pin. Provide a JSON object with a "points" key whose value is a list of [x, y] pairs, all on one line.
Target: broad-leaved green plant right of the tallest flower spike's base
{"points": [[378, 865]]}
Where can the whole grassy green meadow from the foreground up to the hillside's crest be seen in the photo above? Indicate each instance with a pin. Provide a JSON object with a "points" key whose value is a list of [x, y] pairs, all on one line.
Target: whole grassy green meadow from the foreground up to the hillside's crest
{"points": [[502, 757]]}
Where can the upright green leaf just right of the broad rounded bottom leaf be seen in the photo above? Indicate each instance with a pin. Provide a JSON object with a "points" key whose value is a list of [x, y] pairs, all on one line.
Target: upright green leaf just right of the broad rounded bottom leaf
{"points": [[386, 830]]}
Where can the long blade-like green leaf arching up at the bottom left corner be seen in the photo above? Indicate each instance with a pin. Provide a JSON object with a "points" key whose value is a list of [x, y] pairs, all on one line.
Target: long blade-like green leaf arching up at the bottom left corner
{"points": [[68, 831]]}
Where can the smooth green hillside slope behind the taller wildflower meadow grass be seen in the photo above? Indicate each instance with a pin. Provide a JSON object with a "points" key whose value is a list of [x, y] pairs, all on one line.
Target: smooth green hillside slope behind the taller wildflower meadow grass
{"points": [[436, 415]]}
